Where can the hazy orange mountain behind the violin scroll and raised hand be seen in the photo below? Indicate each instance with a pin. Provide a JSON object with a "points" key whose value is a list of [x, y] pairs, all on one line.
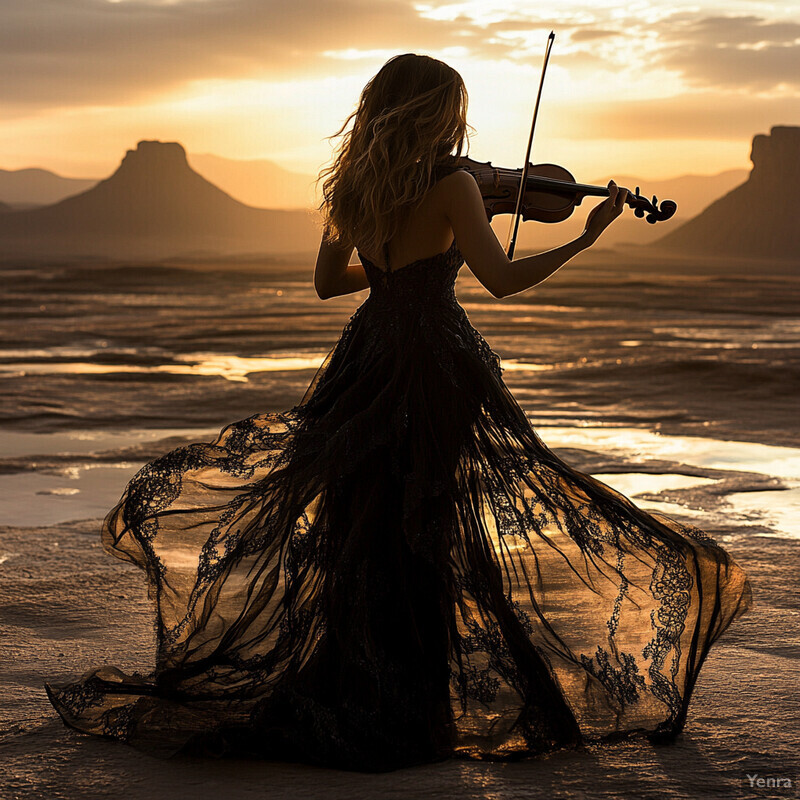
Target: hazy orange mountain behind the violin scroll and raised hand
{"points": [[692, 193]]}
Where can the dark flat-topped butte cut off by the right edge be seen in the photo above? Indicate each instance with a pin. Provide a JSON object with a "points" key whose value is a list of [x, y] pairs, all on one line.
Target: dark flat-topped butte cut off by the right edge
{"points": [[760, 217]]}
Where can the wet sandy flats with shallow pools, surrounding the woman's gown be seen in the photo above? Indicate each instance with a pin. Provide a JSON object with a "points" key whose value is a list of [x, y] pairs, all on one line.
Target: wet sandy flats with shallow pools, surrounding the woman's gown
{"points": [[674, 381]]}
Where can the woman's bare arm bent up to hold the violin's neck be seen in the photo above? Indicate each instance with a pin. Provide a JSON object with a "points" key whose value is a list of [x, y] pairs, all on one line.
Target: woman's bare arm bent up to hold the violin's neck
{"points": [[464, 209]]}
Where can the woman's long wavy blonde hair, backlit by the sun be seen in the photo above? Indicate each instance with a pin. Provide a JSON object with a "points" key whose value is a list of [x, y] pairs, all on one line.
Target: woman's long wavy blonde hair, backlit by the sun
{"points": [[410, 119]]}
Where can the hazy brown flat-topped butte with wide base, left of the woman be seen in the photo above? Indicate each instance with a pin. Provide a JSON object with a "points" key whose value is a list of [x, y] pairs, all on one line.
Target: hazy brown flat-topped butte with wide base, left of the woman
{"points": [[154, 206]]}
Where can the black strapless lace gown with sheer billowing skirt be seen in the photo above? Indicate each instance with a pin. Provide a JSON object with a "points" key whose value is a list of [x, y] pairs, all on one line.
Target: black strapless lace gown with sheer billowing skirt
{"points": [[398, 570]]}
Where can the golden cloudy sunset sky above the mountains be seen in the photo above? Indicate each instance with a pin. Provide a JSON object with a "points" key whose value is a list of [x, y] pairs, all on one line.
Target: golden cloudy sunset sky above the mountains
{"points": [[646, 88]]}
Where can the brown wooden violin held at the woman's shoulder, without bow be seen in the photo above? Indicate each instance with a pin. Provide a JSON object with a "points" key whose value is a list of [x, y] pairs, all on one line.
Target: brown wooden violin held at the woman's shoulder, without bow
{"points": [[551, 193]]}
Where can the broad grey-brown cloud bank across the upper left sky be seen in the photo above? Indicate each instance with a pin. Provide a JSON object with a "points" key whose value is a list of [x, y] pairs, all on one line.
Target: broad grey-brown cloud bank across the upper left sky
{"points": [[79, 52]]}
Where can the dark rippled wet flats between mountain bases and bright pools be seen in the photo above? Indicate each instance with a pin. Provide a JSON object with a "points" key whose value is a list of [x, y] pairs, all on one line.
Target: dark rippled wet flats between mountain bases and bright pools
{"points": [[124, 347]]}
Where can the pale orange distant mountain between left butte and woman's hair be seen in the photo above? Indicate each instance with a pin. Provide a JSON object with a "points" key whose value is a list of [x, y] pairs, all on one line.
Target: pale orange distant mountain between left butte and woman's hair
{"points": [[257, 182]]}
